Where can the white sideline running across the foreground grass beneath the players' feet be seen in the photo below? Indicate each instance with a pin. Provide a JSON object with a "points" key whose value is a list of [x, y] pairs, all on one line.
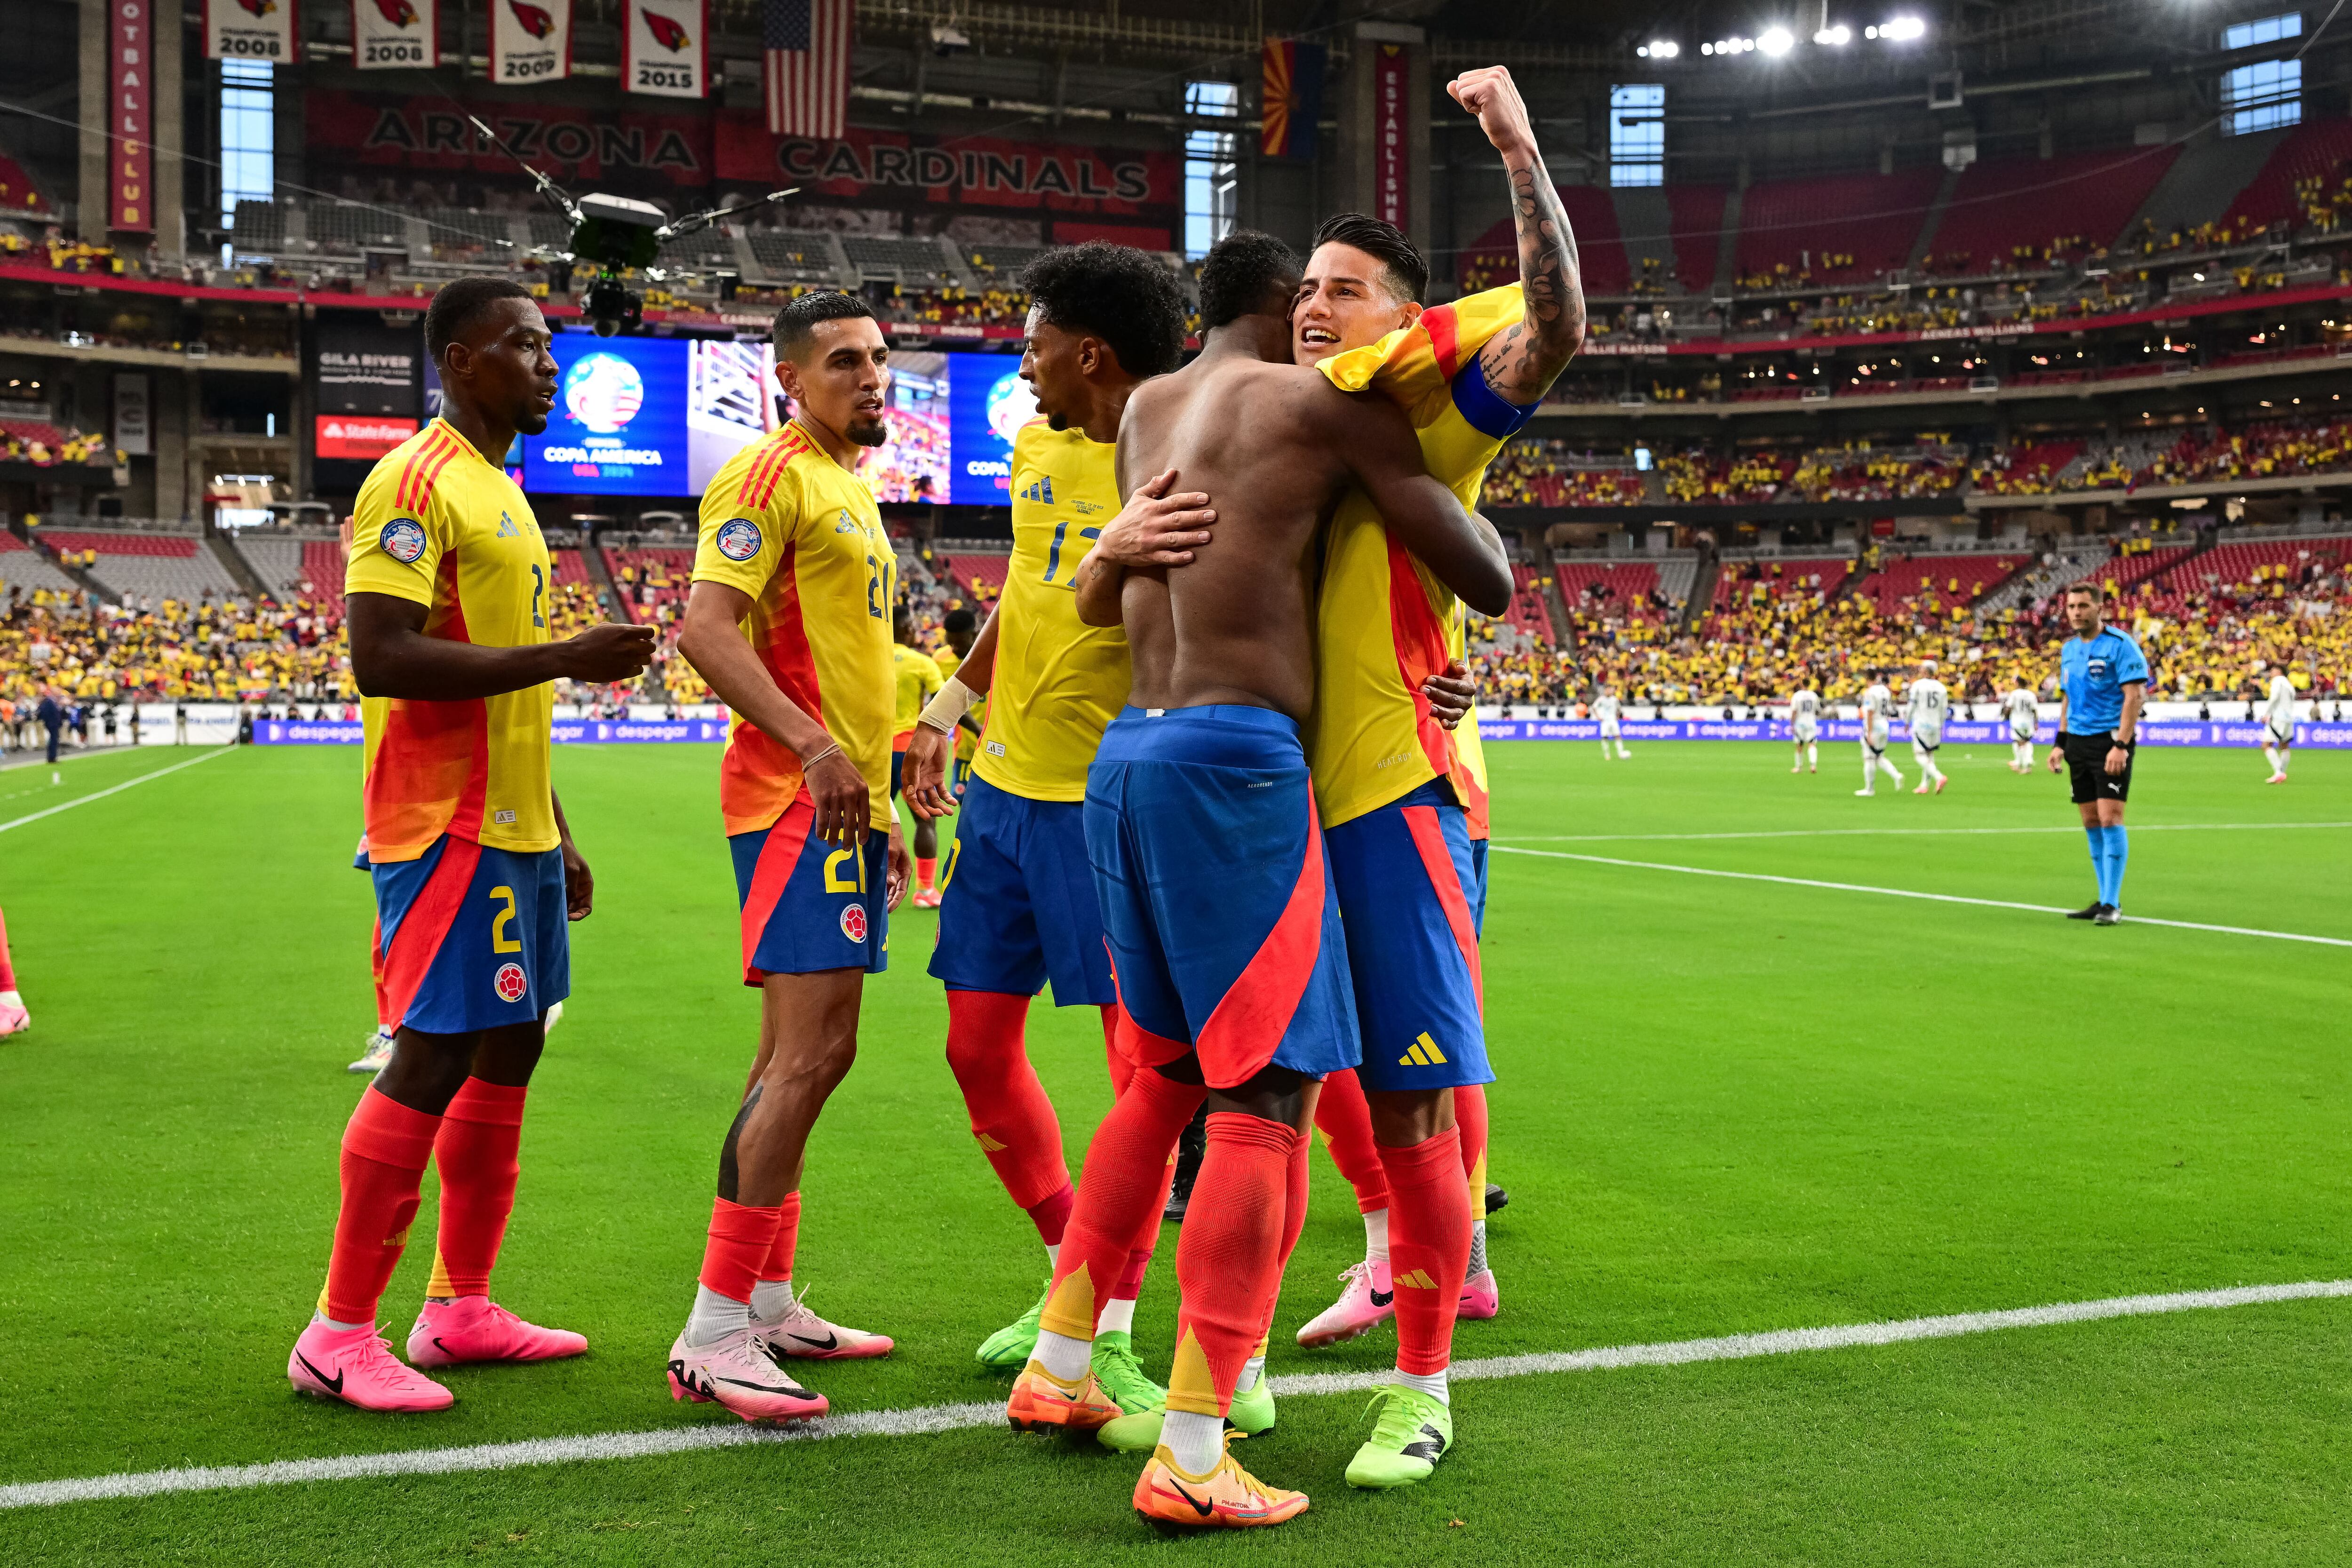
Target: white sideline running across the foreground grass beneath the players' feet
{"points": [[951, 1419]]}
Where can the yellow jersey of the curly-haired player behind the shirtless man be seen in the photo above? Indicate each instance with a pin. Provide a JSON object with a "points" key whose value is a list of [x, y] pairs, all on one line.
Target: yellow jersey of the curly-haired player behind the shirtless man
{"points": [[1060, 681]]}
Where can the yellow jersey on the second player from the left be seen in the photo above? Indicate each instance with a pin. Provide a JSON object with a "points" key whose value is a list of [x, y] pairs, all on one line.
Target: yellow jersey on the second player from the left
{"points": [[803, 537]]}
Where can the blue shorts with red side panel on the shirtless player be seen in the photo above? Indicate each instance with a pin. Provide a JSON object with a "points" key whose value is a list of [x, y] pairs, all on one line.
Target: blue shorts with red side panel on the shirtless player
{"points": [[1217, 894]]}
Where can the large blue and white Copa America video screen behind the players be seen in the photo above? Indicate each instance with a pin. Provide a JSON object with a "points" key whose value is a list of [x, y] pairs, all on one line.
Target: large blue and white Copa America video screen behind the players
{"points": [[660, 417]]}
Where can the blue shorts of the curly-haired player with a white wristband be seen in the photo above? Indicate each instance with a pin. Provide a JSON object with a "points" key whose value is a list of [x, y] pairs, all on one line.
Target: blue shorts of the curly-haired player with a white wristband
{"points": [[1017, 904]]}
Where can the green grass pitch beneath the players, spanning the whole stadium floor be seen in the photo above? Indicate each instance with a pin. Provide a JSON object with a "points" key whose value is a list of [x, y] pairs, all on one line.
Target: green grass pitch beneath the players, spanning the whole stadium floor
{"points": [[1725, 1106]]}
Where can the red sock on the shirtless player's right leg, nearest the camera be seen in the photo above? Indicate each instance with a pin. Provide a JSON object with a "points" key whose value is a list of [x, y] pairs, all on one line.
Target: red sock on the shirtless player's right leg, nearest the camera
{"points": [[1229, 1259]]}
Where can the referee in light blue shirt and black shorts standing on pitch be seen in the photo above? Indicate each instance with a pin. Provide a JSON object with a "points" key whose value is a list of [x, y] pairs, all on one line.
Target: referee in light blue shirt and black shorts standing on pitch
{"points": [[2102, 690]]}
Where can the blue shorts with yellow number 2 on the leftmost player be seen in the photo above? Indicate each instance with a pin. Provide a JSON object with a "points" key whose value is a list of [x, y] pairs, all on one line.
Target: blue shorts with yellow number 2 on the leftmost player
{"points": [[472, 939]]}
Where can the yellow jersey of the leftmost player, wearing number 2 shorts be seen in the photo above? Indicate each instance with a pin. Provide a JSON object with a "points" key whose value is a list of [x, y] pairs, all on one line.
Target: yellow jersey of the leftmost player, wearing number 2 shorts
{"points": [[443, 528]]}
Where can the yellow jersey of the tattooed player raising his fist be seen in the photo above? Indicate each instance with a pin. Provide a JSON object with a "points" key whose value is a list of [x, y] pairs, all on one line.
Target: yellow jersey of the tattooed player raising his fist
{"points": [[1384, 624]]}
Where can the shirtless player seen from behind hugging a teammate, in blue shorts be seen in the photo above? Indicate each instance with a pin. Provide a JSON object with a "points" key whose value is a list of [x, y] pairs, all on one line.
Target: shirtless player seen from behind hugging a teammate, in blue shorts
{"points": [[1210, 866]]}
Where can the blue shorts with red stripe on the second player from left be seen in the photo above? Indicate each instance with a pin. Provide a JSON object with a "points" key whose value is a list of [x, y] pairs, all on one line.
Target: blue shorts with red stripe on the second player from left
{"points": [[808, 904]]}
